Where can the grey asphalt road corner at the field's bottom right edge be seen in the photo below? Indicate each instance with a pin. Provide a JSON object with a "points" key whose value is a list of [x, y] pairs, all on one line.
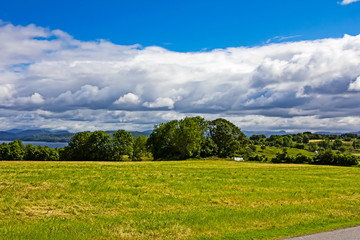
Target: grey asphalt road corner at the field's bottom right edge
{"points": [[352, 233]]}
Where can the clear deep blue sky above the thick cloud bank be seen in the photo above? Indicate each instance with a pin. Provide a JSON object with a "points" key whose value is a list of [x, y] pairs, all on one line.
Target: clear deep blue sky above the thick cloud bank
{"points": [[188, 25]]}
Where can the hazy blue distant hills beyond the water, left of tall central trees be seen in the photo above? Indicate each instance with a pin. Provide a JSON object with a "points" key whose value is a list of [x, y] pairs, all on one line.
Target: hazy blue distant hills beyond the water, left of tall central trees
{"points": [[46, 135]]}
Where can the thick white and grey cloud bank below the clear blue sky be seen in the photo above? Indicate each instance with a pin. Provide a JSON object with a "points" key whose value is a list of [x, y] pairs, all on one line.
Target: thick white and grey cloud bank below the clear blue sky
{"points": [[49, 79]]}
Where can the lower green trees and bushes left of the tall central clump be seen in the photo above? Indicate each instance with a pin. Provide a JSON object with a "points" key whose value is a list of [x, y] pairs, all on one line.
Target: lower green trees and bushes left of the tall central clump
{"points": [[84, 146]]}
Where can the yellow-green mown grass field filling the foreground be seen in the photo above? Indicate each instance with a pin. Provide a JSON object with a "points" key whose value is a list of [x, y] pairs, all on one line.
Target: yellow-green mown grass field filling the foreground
{"points": [[174, 200]]}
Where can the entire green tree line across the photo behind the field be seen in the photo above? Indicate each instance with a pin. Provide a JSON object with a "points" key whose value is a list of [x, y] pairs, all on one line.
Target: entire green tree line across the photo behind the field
{"points": [[191, 137]]}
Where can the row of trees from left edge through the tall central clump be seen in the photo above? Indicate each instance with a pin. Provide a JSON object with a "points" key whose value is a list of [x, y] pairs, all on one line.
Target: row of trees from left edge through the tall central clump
{"points": [[191, 137]]}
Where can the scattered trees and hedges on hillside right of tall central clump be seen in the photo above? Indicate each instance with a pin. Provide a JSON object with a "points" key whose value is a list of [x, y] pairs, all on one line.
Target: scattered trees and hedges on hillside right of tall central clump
{"points": [[328, 149]]}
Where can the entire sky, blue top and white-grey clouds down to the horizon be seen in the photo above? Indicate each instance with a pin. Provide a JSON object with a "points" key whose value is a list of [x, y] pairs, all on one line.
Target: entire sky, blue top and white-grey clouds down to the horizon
{"points": [[263, 65]]}
